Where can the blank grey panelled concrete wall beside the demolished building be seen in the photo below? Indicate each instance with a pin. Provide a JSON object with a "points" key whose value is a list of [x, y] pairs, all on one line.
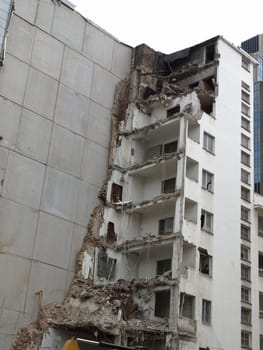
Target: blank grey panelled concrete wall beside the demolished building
{"points": [[56, 93]]}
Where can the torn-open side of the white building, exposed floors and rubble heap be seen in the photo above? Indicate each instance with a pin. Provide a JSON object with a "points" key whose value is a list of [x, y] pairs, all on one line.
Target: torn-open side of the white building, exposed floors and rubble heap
{"points": [[131, 272]]}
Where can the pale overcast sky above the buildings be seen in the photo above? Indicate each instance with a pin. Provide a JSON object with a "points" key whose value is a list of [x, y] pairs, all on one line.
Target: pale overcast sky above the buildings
{"points": [[171, 25]]}
